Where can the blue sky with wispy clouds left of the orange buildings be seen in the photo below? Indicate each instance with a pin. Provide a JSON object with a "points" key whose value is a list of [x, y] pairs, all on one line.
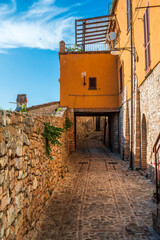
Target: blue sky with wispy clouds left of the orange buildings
{"points": [[30, 32]]}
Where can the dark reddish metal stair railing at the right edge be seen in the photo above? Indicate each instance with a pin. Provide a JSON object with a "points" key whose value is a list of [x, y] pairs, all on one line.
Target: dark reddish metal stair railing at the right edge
{"points": [[156, 150]]}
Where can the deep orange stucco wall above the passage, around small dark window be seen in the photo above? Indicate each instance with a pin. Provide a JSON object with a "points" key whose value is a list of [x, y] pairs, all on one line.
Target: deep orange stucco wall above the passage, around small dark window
{"points": [[74, 94]]}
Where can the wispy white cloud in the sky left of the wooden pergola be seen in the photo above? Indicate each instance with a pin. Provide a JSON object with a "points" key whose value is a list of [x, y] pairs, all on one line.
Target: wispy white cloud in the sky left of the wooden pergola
{"points": [[39, 27]]}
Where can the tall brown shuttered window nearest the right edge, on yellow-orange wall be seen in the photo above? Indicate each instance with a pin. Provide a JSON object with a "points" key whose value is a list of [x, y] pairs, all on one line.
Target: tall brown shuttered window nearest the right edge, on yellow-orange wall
{"points": [[146, 40]]}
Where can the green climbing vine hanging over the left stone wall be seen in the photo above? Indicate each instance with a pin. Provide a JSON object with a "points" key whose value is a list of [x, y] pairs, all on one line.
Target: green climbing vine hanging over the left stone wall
{"points": [[51, 134]]}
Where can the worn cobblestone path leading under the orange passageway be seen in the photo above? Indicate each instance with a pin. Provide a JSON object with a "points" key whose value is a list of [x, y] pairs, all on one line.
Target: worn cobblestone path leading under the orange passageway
{"points": [[99, 199]]}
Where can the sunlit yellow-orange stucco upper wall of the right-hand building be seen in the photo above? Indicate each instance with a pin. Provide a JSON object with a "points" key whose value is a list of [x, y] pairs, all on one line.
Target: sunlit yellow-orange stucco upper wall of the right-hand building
{"points": [[138, 39]]}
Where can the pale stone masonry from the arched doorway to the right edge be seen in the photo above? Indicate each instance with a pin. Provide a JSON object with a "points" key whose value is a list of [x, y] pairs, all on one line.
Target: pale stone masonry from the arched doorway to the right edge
{"points": [[150, 110]]}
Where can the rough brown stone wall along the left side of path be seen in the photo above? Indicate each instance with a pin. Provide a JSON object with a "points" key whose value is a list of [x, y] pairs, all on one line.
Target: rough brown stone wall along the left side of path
{"points": [[27, 176]]}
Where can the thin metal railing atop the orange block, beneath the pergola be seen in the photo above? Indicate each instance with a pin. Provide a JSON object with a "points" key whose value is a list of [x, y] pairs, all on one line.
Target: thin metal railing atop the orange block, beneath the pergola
{"points": [[88, 47]]}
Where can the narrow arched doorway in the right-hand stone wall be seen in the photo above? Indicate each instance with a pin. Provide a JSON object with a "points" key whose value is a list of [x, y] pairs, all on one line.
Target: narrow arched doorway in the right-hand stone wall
{"points": [[144, 144]]}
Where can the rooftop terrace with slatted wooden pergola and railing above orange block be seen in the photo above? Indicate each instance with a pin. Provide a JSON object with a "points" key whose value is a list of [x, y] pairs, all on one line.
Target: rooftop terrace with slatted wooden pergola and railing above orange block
{"points": [[90, 34]]}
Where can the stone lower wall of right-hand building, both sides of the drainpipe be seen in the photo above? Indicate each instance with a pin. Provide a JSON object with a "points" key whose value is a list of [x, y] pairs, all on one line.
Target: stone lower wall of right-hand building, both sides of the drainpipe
{"points": [[146, 122]]}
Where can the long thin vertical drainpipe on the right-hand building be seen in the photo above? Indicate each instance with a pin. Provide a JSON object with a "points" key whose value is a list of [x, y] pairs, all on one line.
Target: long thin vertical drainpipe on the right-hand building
{"points": [[131, 43]]}
